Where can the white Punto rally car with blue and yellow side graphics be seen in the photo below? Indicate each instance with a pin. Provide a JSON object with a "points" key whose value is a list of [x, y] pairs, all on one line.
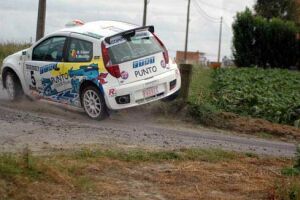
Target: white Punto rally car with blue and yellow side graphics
{"points": [[98, 66]]}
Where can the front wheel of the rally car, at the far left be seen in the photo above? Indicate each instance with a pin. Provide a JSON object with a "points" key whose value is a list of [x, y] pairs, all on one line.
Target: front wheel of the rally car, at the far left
{"points": [[13, 86]]}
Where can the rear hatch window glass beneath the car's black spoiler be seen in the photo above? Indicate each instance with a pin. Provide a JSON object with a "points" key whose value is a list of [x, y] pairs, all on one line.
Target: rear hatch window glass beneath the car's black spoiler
{"points": [[134, 48]]}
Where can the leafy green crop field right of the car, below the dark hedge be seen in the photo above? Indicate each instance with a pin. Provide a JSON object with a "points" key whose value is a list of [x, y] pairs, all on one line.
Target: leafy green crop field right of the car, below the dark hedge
{"points": [[271, 94]]}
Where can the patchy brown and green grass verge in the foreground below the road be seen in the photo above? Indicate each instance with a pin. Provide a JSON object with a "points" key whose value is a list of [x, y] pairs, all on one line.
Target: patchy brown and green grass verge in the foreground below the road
{"points": [[141, 174]]}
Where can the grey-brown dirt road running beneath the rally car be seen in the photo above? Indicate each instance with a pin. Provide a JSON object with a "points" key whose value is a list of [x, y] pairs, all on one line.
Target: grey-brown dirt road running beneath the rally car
{"points": [[45, 127]]}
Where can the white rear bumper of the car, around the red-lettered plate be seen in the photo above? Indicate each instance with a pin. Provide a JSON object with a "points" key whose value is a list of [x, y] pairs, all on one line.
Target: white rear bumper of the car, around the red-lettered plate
{"points": [[136, 90]]}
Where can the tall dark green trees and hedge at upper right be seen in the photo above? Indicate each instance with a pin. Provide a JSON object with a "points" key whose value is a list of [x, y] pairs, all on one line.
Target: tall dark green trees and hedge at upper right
{"points": [[268, 37]]}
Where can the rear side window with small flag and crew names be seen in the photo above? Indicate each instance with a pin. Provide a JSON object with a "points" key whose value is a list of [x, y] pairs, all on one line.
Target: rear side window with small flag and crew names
{"points": [[80, 51]]}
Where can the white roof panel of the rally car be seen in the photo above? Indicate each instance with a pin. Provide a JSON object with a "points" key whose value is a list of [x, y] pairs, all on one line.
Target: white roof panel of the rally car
{"points": [[100, 29]]}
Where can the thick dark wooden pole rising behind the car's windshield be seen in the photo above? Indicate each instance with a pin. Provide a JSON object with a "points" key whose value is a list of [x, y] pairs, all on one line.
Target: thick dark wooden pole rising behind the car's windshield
{"points": [[40, 28]]}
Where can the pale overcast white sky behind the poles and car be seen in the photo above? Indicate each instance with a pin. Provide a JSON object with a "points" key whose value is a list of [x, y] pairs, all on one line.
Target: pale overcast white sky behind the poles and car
{"points": [[18, 19]]}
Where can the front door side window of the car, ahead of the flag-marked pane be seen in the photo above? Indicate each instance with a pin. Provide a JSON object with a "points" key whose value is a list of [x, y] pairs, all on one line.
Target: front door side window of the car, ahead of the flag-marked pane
{"points": [[50, 50]]}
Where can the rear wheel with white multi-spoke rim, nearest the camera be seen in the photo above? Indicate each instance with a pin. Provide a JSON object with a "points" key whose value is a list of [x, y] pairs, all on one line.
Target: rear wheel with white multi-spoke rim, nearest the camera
{"points": [[93, 103]]}
